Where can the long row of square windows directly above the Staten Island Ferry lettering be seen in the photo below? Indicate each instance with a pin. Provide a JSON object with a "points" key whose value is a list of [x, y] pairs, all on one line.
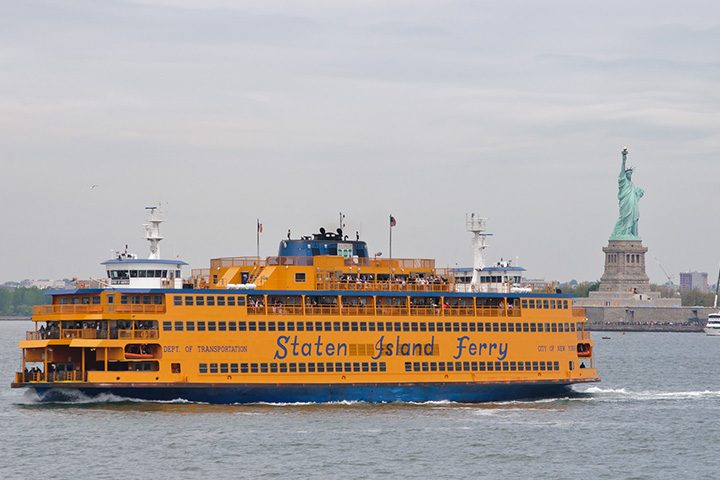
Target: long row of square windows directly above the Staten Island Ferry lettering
{"points": [[357, 326]]}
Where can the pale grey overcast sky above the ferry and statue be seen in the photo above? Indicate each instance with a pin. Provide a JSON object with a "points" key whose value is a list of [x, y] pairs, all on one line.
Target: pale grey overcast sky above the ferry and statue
{"points": [[291, 112]]}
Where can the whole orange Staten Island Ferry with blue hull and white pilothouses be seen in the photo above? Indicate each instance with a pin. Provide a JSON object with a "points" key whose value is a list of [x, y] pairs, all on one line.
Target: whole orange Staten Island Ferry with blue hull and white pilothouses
{"points": [[322, 321]]}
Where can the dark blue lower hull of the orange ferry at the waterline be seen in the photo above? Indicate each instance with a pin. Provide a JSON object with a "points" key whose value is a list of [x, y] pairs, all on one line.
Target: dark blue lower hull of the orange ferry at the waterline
{"points": [[319, 393]]}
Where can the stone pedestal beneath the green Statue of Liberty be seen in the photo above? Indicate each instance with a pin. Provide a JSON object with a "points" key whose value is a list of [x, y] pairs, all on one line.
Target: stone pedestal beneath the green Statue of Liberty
{"points": [[625, 268]]}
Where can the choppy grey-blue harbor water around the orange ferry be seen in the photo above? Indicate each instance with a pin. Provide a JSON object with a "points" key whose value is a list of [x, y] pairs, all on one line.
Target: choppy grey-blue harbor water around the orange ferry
{"points": [[653, 416]]}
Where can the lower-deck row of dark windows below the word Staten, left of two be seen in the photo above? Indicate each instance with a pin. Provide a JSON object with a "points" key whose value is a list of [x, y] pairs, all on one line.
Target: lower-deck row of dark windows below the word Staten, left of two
{"points": [[301, 367]]}
